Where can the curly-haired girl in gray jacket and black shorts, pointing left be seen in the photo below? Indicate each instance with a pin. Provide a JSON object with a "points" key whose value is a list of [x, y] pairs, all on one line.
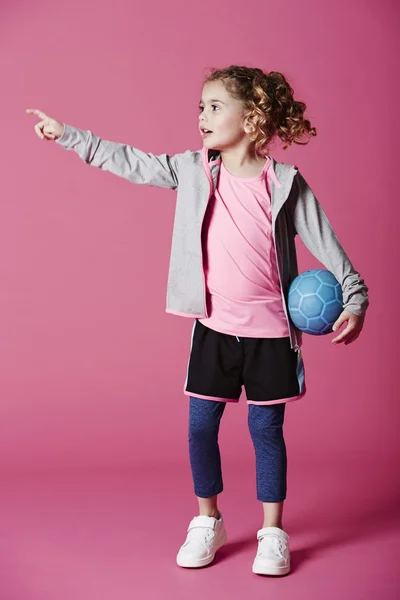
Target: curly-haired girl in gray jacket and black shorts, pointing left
{"points": [[233, 258]]}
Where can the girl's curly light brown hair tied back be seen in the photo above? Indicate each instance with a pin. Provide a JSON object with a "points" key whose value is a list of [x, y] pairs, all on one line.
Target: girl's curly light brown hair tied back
{"points": [[269, 106]]}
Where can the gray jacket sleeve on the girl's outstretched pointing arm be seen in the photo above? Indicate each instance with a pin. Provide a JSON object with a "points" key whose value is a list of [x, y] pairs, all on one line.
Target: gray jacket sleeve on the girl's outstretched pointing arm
{"points": [[122, 160]]}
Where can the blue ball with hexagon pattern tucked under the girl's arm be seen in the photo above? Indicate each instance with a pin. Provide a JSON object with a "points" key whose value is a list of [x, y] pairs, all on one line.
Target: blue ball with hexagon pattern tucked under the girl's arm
{"points": [[315, 301]]}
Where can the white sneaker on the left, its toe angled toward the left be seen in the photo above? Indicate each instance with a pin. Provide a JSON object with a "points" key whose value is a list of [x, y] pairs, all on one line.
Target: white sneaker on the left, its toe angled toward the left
{"points": [[205, 536]]}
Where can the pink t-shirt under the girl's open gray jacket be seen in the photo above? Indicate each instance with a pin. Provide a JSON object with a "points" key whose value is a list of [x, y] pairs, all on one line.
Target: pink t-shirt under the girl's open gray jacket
{"points": [[242, 284]]}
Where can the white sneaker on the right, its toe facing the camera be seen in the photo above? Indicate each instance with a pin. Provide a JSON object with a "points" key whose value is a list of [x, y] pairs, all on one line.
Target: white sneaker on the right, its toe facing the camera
{"points": [[273, 556]]}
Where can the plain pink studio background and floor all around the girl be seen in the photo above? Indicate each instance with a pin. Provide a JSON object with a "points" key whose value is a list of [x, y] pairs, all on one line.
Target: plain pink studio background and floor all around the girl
{"points": [[92, 368]]}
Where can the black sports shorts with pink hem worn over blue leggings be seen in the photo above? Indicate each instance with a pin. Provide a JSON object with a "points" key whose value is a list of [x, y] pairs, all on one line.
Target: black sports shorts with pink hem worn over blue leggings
{"points": [[220, 364]]}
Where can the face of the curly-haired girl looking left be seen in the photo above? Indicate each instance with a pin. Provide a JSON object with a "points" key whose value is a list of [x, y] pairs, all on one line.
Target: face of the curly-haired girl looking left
{"points": [[223, 116]]}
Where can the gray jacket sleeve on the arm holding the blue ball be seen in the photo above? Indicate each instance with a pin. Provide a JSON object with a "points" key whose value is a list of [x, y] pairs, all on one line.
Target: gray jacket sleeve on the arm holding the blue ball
{"points": [[315, 230]]}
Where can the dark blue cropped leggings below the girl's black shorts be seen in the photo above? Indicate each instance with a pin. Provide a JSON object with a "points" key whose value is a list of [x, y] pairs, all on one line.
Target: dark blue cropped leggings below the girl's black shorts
{"points": [[266, 429]]}
